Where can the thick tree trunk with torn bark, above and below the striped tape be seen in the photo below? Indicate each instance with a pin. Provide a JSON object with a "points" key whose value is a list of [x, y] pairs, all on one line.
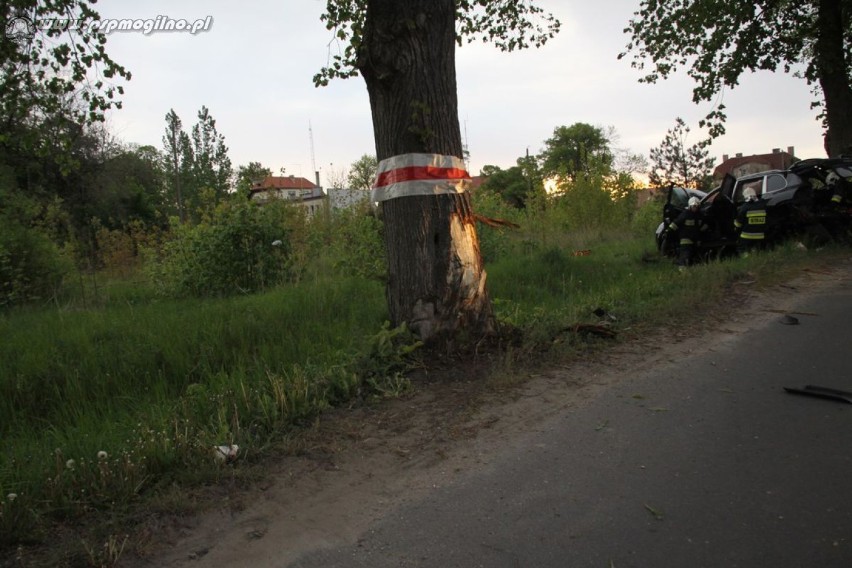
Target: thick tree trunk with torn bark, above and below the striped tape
{"points": [[436, 279]]}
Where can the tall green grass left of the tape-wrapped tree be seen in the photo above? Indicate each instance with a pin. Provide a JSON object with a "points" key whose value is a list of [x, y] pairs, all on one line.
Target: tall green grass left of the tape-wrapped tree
{"points": [[156, 385]]}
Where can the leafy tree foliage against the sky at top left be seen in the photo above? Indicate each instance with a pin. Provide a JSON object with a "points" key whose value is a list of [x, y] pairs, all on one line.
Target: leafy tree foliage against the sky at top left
{"points": [[54, 69]]}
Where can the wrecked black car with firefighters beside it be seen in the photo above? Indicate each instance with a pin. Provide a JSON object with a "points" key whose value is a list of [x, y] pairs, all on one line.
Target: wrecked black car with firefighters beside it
{"points": [[798, 201]]}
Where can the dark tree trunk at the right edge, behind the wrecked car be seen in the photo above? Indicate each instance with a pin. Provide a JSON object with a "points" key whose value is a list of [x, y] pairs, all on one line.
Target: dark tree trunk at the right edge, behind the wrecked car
{"points": [[833, 74]]}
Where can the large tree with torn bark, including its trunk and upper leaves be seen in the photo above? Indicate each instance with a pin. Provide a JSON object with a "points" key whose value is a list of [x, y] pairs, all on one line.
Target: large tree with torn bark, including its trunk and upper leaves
{"points": [[405, 50]]}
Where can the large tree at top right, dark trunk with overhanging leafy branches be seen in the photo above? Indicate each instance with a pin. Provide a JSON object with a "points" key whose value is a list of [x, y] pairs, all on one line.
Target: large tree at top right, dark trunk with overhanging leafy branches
{"points": [[719, 40]]}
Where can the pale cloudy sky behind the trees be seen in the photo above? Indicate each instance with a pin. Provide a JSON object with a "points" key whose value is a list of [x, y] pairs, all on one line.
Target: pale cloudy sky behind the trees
{"points": [[253, 70]]}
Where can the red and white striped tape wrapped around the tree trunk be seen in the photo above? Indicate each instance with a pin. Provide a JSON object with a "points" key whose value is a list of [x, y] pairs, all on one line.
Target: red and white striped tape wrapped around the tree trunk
{"points": [[419, 174]]}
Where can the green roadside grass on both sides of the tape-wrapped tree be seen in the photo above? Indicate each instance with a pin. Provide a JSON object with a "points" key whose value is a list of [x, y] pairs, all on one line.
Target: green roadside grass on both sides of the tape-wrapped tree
{"points": [[117, 397]]}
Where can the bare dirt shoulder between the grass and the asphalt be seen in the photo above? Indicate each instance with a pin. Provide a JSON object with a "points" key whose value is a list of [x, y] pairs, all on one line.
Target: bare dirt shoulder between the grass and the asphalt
{"points": [[356, 464]]}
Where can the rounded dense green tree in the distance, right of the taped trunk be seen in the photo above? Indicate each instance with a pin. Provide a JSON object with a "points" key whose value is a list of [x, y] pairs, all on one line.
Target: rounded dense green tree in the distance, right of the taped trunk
{"points": [[573, 150]]}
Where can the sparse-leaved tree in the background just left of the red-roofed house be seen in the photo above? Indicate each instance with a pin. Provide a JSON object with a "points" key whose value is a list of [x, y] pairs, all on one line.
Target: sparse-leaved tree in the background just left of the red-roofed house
{"points": [[675, 163]]}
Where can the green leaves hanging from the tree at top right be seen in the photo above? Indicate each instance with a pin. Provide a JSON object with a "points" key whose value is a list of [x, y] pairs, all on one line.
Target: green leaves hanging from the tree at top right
{"points": [[716, 41]]}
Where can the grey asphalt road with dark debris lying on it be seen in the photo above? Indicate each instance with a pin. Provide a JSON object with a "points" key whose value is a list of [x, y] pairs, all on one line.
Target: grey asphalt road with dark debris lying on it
{"points": [[705, 462]]}
